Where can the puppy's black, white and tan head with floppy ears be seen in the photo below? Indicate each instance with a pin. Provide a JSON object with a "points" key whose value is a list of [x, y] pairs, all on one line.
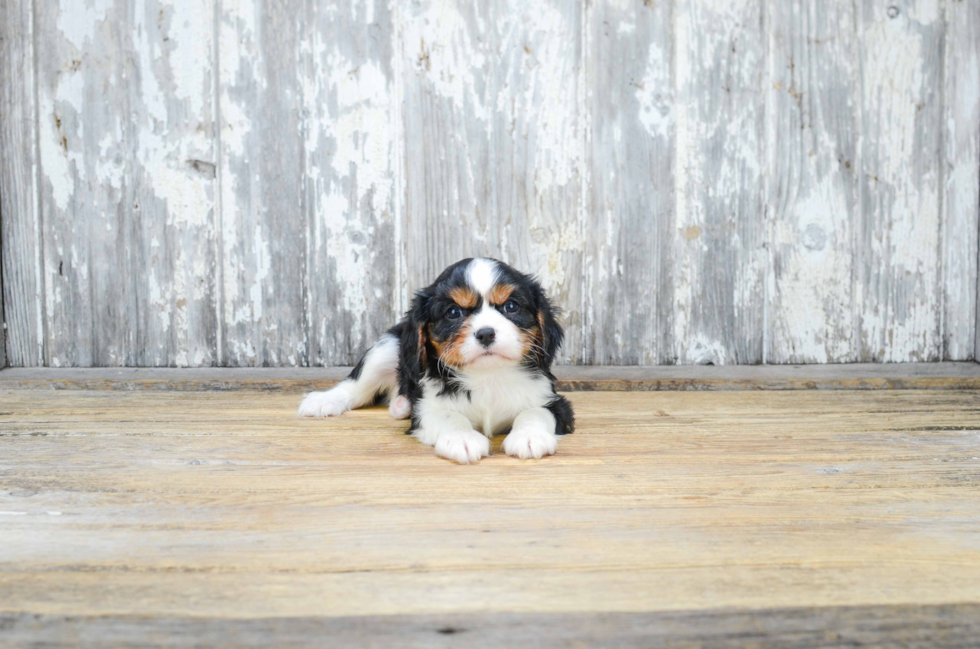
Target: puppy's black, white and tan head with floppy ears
{"points": [[481, 314]]}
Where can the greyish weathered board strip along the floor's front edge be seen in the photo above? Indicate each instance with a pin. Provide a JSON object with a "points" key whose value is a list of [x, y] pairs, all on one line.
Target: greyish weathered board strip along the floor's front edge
{"points": [[912, 627]]}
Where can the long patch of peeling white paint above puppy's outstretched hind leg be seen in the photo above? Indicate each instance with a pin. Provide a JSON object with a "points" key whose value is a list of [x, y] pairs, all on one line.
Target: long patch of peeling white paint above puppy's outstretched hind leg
{"points": [[349, 145]]}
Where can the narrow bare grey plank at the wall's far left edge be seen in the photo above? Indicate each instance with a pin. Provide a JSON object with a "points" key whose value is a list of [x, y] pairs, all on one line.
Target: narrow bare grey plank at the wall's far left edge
{"points": [[19, 226]]}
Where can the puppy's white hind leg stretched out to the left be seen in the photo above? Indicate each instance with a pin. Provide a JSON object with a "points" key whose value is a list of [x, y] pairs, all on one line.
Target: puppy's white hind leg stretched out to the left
{"points": [[375, 374]]}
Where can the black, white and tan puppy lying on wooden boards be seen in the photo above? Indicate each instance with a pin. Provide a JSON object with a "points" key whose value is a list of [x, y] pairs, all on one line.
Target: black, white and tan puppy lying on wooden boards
{"points": [[471, 359]]}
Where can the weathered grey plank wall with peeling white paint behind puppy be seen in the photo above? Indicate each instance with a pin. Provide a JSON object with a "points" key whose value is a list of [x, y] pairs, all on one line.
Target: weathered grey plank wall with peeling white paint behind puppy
{"points": [[264, 182]]}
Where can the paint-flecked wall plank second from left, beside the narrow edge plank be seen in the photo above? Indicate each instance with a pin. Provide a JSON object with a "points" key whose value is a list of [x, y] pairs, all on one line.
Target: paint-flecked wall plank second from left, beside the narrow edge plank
{"points": [[88, 216]]}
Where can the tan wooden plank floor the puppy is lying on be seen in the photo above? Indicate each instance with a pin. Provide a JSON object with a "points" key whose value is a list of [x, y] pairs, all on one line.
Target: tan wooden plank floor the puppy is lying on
{"points": [[222, 508]]}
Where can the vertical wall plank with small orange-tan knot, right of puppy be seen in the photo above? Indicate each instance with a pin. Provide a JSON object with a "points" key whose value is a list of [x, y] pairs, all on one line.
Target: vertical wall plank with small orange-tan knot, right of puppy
{"points": [[719, 241]]}
